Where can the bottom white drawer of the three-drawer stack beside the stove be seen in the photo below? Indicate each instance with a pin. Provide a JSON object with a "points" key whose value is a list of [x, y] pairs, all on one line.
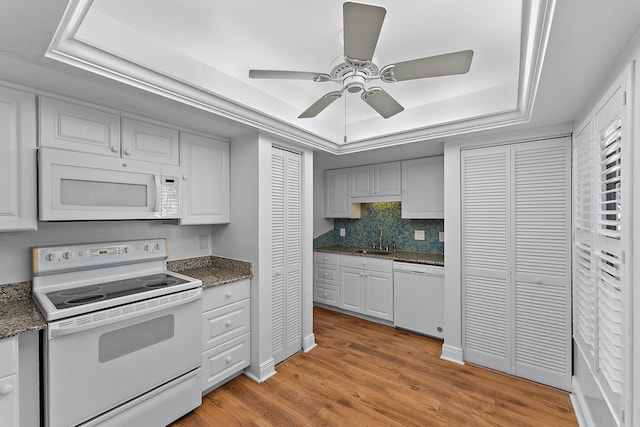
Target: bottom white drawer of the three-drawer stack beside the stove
{"points": [[224, 361]]}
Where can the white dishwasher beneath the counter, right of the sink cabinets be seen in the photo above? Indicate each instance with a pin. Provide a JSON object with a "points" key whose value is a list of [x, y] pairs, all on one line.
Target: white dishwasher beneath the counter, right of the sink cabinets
{"points": [[418, 298]]}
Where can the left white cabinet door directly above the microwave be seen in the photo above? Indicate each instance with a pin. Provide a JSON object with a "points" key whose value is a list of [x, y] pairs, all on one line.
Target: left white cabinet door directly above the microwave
{"points": [[76, 127]]}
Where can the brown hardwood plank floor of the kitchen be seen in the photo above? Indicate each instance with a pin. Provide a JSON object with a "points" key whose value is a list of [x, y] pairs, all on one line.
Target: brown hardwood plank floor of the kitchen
{"points": [[366, 374]]}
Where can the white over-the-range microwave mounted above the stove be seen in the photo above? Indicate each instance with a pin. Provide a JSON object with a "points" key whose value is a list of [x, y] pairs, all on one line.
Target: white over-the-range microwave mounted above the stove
{"points": [[77, 186]]}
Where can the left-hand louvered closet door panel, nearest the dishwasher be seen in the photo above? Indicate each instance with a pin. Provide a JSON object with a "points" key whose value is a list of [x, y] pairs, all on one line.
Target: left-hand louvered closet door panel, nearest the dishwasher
{"points": [[486, 259]]}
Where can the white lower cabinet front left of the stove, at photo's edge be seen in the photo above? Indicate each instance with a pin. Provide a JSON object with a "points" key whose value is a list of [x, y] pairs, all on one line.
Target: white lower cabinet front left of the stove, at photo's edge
{"points": [[9, 404]]}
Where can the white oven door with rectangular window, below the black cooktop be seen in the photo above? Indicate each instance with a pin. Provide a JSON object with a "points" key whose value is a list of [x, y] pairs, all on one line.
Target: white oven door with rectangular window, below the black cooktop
{"points": [[99, 361]]}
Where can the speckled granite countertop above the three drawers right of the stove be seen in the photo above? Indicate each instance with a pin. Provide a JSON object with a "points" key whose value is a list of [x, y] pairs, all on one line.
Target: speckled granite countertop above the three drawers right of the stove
{"points": [[212, 270]]}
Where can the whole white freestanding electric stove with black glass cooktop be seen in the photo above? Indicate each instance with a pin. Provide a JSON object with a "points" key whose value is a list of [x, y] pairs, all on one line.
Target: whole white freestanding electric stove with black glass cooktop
{"points": [[123, 341]]}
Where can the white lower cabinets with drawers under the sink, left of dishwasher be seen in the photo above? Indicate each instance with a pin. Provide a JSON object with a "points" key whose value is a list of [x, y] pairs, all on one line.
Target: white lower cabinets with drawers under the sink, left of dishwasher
{"points": [[354, 283]]}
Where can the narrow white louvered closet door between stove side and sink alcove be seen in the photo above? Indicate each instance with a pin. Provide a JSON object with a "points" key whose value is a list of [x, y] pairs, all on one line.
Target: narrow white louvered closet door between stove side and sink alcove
{"points": [[286, 253]]}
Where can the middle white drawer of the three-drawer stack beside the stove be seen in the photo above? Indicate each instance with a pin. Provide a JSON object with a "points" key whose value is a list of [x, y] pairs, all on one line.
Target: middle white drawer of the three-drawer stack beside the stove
{"points": [[224, 323]]}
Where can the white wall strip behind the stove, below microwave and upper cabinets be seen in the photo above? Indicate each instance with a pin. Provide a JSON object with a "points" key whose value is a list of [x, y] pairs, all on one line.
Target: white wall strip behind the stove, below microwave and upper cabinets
{"points": [[15, 247]]}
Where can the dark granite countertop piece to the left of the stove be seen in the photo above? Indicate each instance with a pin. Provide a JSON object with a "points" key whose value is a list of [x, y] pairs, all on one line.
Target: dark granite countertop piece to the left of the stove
{"points": [[18, 312]]}
